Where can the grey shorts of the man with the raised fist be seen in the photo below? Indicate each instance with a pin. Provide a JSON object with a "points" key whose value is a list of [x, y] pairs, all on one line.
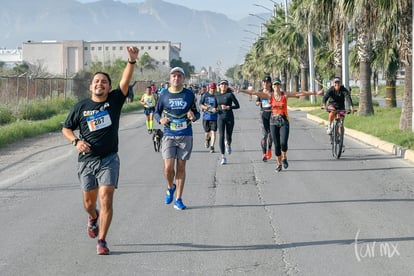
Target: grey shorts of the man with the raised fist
{"points": [[104, 172]]}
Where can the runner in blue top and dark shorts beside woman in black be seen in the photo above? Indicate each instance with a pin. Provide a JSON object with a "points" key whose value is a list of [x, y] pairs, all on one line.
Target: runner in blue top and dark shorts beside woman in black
{"points": [[209, 105]]}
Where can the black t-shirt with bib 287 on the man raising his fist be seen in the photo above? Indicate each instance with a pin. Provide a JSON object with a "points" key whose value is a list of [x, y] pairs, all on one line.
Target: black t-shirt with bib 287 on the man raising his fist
{"points": [[98, 124]]}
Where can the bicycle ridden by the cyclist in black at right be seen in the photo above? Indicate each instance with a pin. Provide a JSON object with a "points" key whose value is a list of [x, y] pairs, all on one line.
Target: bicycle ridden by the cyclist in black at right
{"points": [[338, 132]]}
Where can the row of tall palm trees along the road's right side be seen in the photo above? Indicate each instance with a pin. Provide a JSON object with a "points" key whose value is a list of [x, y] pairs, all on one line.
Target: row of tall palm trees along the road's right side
{"points": [[379, 35]]}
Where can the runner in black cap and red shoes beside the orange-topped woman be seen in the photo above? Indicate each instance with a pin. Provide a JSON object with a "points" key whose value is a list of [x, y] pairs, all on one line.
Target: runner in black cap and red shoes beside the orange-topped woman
{"points": [[265, 112]]}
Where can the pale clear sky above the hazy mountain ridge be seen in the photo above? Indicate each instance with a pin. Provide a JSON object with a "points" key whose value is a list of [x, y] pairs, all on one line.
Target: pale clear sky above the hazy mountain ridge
{"points": [[235, 9]]}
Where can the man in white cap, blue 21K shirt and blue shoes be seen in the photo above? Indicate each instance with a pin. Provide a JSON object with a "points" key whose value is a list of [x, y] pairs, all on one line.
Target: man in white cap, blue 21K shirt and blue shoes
{"points": [[176, 109]]}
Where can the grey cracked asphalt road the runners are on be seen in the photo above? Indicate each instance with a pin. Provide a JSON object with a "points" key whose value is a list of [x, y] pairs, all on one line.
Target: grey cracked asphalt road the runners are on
{"points": [[321, 216]]}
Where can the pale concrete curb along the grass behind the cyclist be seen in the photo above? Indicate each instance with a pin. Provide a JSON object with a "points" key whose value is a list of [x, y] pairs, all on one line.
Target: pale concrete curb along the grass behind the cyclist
{"points": [[372, 140]]}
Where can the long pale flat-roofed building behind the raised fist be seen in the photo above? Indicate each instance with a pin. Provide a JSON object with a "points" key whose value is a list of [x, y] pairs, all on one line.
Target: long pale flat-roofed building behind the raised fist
{"points": [[72, 56]]}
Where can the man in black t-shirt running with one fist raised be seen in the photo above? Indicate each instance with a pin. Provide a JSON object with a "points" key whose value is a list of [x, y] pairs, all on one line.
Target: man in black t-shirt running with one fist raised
{"points": [[97, 119]]}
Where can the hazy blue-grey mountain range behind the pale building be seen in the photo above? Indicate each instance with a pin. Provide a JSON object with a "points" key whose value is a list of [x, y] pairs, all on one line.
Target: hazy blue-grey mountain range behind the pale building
{"points": [[208, 39]]}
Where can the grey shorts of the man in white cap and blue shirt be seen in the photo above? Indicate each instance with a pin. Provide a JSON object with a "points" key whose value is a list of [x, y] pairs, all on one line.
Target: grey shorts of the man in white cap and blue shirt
{"points": [[177, 147]]}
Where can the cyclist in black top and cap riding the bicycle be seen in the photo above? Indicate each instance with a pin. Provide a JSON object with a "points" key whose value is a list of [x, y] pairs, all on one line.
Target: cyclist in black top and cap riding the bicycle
{"points": [[337, 95]]}
